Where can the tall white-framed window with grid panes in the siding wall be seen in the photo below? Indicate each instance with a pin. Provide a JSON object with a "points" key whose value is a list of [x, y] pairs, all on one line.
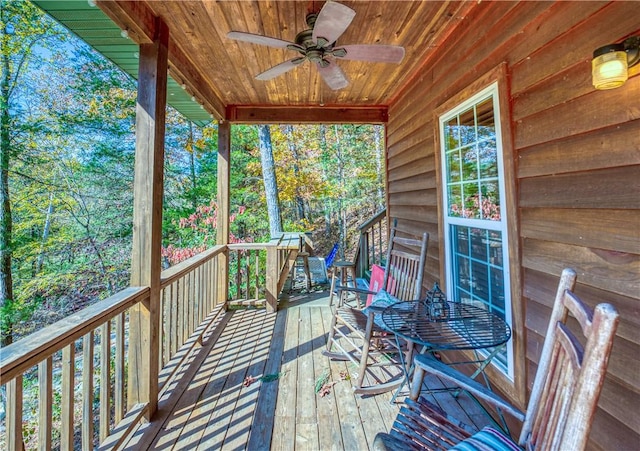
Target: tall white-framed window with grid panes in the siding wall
{"points": [[475, 216]]}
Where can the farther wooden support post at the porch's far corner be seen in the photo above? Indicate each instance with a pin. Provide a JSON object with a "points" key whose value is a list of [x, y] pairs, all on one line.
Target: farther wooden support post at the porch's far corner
{"points": [[222, 233]]}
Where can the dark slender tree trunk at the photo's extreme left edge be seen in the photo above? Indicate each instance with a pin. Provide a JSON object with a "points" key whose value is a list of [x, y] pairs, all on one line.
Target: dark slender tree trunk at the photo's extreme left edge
{"points": [[6, 281]]}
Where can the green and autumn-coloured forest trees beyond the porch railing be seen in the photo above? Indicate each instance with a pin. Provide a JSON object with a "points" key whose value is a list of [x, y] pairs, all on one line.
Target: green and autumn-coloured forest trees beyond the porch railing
{"points": [[68, 119]]}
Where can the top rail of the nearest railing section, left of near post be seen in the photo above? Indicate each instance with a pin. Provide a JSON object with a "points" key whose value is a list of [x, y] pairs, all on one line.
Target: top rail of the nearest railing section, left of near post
{"points": [[33, 349]]}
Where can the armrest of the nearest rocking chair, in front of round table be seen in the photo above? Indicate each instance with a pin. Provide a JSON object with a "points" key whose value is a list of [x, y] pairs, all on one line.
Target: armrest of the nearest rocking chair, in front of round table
{"points": [[425, 362]]}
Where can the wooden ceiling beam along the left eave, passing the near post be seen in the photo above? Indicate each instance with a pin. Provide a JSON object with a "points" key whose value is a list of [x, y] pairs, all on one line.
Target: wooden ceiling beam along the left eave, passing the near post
{"points": [[140, 23]]}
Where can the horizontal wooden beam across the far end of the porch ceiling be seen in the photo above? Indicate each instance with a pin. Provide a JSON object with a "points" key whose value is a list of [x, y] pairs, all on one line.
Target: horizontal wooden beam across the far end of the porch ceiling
{"points": [[248, 114]]}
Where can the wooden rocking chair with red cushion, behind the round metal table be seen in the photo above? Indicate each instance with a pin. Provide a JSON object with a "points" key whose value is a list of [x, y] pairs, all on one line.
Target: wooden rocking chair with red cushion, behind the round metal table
{"points": [[357, 336]]}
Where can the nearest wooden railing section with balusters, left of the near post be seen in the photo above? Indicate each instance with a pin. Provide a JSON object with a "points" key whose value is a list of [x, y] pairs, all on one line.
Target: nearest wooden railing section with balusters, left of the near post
{"points": [[64, 358]]}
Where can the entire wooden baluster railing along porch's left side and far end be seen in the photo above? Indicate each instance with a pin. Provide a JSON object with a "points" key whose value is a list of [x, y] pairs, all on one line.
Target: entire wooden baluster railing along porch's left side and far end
{"points": [[80, 364]]}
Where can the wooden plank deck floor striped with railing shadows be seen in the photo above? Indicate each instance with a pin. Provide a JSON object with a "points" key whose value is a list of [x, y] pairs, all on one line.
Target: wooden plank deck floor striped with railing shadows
{"points": [[208, 406]]}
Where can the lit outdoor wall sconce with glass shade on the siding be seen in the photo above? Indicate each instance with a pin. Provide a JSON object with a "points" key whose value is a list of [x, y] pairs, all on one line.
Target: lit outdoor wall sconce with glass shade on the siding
{"points": [[611, 63]]}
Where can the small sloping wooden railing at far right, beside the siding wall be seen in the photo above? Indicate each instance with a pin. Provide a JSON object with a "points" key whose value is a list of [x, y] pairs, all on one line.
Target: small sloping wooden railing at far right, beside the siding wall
{"points": [[372, 243]]}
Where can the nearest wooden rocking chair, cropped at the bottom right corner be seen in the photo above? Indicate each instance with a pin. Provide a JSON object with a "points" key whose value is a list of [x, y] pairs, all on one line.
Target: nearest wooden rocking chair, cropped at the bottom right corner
{"points": [[563, 400]]}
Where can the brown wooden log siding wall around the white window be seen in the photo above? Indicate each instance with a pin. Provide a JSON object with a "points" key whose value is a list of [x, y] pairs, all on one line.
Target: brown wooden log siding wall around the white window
{"points": [[577, 159]]}
